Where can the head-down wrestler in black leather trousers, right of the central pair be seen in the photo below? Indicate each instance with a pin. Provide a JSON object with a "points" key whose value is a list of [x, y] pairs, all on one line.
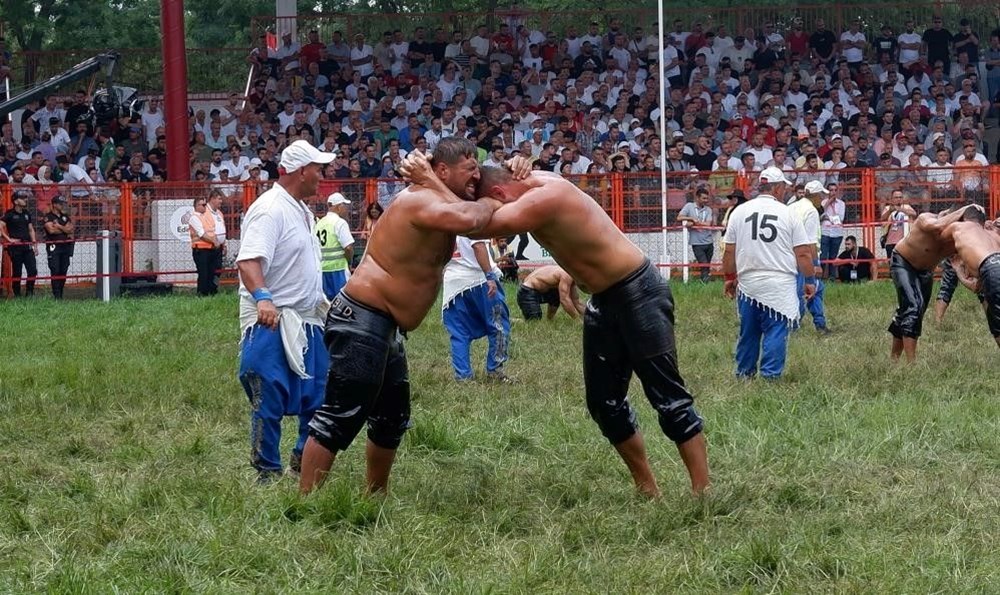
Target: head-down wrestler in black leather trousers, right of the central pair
{"points": [[628, 323]]}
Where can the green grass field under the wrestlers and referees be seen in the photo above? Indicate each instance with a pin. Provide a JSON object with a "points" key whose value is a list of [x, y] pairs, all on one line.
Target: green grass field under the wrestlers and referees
{"points": [[125, 465]]}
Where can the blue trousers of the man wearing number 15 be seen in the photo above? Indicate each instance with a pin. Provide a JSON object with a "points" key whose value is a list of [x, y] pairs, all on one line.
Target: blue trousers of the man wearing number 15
{"points": [[761, 330]]}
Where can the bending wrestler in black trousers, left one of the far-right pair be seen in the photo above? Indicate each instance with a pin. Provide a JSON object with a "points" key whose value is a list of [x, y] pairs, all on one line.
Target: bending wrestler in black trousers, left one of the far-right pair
{"points": [[912, 270]]}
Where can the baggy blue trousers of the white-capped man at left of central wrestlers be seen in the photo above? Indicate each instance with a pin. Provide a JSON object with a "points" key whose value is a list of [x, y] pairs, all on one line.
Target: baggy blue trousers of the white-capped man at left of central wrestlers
{"points": [[275, 390]]}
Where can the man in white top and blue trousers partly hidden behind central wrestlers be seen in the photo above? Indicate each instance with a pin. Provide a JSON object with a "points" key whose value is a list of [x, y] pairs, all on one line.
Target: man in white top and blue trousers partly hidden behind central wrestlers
{"points": [[474, 306]]}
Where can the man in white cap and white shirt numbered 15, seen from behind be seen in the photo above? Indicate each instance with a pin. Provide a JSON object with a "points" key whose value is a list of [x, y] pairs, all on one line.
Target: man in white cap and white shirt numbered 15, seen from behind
{"points": [[766, 246]]}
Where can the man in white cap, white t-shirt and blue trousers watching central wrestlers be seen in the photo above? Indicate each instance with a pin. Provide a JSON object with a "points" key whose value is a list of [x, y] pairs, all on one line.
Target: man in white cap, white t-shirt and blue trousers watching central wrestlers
{"points": [[283, 361]]}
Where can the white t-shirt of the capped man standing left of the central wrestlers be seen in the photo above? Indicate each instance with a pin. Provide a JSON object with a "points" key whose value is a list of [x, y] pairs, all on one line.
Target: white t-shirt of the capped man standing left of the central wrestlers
{"points": [[279, 230]]}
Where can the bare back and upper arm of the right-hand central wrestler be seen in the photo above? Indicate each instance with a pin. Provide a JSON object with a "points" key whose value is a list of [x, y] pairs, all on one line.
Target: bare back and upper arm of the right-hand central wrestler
{"points": [[573, 228]]}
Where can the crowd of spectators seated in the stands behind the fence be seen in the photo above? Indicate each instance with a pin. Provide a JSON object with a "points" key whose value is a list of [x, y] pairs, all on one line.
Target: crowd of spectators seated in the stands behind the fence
{"points": [[810, 100]]}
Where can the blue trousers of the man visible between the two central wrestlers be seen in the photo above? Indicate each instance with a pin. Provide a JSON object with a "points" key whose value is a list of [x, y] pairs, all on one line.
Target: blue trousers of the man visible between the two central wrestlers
{"points": [[473, 315]]}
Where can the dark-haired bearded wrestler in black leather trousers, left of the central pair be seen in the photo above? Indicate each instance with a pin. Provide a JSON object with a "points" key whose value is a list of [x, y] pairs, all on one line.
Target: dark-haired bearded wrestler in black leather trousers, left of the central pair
{"points": [[392, 289]]}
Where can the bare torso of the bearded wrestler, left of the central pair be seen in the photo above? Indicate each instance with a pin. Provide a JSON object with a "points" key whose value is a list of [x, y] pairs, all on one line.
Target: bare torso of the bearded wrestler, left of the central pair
{"points": [[402, 269]]}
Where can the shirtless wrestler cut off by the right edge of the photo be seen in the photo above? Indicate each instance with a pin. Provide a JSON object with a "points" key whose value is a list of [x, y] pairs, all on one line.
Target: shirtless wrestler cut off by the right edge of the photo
{"points": [[977, 266]]}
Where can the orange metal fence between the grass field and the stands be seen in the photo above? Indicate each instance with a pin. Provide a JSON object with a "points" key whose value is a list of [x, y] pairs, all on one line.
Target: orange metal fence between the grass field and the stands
{"points": [[152, 218]]}
